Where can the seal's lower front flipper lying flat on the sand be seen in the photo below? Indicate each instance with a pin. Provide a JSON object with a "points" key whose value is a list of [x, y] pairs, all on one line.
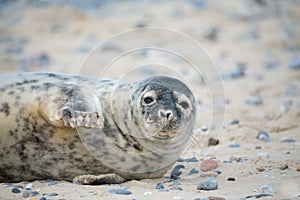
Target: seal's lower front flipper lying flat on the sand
{"points": [[99, 180]]}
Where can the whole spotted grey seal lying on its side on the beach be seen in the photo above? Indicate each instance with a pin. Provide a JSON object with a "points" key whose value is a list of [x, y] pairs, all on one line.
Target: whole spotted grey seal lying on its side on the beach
{"points": [[90, 130]]}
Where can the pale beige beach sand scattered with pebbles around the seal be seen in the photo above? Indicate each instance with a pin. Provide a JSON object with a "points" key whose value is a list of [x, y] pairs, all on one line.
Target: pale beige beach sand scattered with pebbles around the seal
{"points": [[253, 44]]}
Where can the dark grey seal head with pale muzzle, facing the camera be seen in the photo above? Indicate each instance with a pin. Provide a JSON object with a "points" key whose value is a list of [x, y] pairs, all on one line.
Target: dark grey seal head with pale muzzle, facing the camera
{"points": [[163, 107]]}
